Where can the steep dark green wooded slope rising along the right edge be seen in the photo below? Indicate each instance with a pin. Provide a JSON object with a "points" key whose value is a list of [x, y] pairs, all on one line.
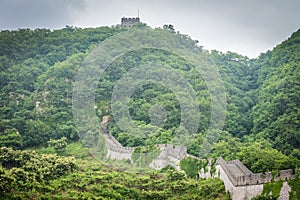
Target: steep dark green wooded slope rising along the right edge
{"points": [[276, 113]]}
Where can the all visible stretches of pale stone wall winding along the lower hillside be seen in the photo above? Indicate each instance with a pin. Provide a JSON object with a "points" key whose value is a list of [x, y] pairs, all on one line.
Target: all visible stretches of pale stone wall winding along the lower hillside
{"points": [[239, 181]]}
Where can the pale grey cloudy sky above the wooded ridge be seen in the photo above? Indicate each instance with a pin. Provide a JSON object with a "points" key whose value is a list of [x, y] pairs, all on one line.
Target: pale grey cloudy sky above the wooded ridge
{"points": [[247, 27]]}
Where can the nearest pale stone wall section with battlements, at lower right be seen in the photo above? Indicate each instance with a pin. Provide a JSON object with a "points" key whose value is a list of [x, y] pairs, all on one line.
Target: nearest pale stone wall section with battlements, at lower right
{"points": [[242, 184]]}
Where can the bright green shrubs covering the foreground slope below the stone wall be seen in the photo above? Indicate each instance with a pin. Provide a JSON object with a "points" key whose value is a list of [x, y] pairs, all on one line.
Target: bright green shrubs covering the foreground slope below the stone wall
{"points": [[29, 175]]}
